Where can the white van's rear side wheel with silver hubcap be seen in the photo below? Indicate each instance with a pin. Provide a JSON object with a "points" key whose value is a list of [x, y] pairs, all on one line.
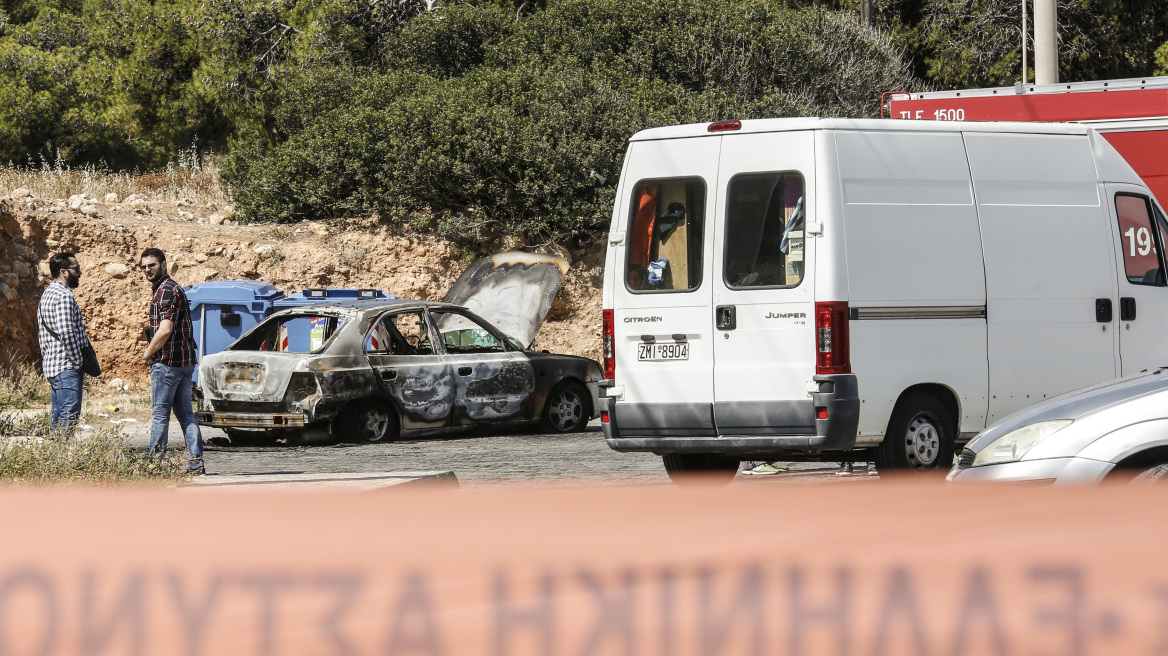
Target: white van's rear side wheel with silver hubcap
{"points": [[920, 436]]}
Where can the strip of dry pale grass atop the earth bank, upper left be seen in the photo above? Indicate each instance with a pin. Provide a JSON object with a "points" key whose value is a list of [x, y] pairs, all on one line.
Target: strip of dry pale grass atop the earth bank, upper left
{"points": [[196, 178]]}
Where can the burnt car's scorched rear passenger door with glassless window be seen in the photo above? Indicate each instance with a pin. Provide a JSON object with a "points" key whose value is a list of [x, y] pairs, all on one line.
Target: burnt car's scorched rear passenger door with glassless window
{"points": [[412, 369]]}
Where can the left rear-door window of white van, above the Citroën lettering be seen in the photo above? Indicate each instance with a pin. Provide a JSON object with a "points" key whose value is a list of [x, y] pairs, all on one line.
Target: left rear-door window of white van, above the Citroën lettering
{"points": [[665, 235]]}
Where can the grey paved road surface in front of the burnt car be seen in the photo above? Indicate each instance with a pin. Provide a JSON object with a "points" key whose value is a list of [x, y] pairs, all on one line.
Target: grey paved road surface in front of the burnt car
{"points": [[477, 462]]}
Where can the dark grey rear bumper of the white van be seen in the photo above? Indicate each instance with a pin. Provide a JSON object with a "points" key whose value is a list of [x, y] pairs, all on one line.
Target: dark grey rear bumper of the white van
{"points": [[838, 397]]}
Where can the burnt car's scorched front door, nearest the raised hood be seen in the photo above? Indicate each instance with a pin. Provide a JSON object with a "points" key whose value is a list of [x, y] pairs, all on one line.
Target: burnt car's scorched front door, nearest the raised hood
{"points": [[495, 381]]}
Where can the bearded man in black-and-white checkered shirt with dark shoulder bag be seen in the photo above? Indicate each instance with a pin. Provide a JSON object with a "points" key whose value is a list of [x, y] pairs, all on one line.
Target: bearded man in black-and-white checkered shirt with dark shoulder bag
{"points": [[62, 336]]}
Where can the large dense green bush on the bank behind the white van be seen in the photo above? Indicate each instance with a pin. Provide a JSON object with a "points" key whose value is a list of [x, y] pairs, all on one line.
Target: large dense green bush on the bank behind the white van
{"points": [[489, 128]]}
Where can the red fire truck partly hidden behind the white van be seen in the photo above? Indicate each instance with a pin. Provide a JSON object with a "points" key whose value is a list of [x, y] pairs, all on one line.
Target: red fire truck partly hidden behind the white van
{"points": [[1131, 114]]}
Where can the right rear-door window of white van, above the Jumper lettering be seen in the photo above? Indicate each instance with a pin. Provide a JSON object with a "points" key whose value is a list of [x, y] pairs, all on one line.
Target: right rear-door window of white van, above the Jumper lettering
{"points": [[764, 231]]}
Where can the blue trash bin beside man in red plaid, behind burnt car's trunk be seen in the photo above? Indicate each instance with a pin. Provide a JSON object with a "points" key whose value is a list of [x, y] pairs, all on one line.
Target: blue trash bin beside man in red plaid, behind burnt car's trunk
{"points": [[221, 311]]}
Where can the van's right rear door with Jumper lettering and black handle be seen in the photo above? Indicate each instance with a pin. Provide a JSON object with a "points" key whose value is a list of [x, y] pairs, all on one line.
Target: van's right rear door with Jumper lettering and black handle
{"points": [[763, 283]]}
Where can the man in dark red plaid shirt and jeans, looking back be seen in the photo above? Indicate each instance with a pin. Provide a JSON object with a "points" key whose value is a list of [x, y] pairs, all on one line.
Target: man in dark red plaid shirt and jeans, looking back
{"points": [[171, 357]]}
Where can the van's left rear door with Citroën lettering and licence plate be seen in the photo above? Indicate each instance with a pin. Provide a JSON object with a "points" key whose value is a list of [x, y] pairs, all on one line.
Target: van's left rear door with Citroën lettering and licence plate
{"points": [[663, 320]]}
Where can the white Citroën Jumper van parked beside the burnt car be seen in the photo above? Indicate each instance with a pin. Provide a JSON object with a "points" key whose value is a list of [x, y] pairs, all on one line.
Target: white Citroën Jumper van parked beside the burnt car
{"points": [[844, 290]]}
